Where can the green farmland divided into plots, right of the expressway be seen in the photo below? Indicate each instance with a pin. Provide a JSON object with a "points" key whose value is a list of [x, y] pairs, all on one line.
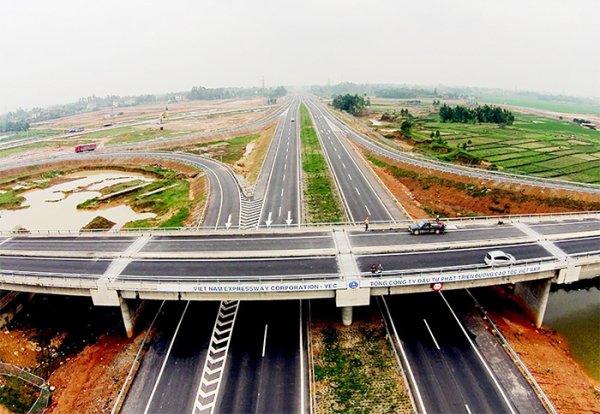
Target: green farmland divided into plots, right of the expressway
{"points": [[533, 145]]}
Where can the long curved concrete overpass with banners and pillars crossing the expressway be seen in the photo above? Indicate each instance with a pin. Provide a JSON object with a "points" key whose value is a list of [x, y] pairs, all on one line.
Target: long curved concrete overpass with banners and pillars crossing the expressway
{"points": [[117, 269]]}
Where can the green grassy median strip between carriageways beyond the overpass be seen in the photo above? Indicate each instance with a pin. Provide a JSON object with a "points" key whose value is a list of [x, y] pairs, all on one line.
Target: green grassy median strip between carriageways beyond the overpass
{"points": [[322, 204]]}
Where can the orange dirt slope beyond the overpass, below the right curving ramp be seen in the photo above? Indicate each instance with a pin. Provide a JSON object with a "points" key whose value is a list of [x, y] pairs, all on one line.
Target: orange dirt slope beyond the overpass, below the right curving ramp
{"points": [[427, 192]]}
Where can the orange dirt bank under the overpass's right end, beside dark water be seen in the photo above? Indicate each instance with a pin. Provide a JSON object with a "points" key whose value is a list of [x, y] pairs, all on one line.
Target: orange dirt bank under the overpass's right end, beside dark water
{"points": [[545, 354]]}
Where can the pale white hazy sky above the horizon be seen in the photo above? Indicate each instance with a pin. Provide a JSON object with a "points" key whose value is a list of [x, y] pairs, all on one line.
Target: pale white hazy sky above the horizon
{"points": [[58, 51]]}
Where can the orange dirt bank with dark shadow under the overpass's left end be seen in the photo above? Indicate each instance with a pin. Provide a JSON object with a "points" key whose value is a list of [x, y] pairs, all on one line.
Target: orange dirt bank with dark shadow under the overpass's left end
{"points": [[80, 349]]}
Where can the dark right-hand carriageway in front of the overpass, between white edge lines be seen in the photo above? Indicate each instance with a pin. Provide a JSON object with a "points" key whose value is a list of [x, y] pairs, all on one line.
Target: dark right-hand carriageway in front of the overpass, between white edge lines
{"points": [[450, 375]]}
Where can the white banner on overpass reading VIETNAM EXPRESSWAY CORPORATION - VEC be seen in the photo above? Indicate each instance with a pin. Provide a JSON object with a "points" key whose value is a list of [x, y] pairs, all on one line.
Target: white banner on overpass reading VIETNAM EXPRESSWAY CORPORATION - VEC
{"points": [[250, 287]]}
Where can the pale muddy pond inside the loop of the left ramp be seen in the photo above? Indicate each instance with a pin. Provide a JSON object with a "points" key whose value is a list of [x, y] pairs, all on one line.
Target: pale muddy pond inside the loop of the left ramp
{"points": [[55, 208]]}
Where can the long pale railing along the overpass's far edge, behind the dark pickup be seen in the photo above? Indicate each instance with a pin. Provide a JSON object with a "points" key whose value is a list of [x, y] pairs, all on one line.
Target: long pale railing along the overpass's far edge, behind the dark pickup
{"points": [[497, 219]]}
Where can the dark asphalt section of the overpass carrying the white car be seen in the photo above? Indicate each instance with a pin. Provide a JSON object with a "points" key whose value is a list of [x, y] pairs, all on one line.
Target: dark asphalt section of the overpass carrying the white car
{"points": [[432, 259]]}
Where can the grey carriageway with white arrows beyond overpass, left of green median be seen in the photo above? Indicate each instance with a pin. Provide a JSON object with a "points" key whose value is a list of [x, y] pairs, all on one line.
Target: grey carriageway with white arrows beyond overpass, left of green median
{"points": [[282, 196]]}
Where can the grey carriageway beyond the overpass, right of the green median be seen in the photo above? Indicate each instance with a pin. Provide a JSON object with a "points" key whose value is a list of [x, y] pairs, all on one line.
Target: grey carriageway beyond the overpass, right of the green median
{"points": [[359, 196]]}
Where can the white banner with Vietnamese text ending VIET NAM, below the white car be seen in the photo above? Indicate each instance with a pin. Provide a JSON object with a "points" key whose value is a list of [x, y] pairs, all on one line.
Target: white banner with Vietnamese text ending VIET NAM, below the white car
{"points": [[455, 277]]}
